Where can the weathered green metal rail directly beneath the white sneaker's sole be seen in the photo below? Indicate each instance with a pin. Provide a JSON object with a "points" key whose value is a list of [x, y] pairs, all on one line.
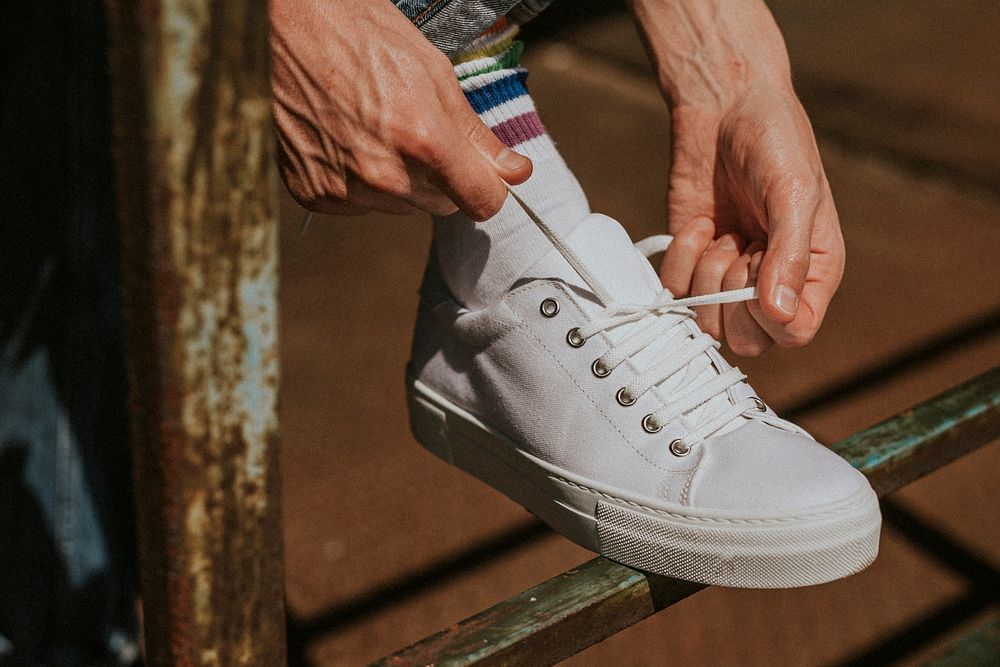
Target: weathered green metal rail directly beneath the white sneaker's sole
{"points": [[587, 604]]}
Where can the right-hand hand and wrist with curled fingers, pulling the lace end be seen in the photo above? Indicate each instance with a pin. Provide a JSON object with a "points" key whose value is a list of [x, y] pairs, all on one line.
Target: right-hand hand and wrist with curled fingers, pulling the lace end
{"points": [[749, 202]]}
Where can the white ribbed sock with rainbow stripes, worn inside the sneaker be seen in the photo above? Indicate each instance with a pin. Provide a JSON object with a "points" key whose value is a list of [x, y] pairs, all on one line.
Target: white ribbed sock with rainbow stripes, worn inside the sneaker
{"points": [[480, 261]]}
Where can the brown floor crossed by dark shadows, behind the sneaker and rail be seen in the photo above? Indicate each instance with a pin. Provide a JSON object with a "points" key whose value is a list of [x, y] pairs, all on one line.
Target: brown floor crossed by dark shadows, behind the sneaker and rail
{"points": [[367, 509]]}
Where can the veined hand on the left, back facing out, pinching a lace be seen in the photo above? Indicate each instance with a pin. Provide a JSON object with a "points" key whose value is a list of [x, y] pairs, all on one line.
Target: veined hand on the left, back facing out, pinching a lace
{"points": [[369, 116]]}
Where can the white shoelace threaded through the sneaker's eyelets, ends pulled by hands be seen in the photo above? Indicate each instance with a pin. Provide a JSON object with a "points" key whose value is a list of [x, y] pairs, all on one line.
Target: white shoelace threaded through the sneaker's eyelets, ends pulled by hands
{"points": [[663, 317]]}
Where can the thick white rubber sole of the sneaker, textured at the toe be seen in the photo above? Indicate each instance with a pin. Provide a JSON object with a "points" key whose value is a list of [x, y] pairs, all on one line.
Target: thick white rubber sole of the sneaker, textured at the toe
{"points": [[704, 546]]}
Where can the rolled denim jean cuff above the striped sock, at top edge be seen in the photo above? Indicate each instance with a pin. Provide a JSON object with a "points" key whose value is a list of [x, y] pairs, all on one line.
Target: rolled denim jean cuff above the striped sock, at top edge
{"points": [[451, 25]]}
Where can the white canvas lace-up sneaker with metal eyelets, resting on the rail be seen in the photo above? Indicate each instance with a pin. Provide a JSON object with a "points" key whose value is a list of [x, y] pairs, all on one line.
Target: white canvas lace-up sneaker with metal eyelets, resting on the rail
{"points": [[588, 395]]}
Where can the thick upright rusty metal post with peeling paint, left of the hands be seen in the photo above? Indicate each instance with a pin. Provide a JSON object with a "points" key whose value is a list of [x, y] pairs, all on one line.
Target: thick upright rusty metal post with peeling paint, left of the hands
{"points": [[198, 205]]}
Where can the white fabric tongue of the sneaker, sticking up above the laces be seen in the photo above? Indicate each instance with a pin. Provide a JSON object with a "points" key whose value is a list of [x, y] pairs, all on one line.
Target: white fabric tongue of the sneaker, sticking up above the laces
{"points": [[606, 250]]}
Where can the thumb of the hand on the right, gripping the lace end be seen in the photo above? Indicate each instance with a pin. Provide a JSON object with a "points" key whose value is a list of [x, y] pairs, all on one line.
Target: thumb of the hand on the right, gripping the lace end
{"points": [[785, 265]]}
